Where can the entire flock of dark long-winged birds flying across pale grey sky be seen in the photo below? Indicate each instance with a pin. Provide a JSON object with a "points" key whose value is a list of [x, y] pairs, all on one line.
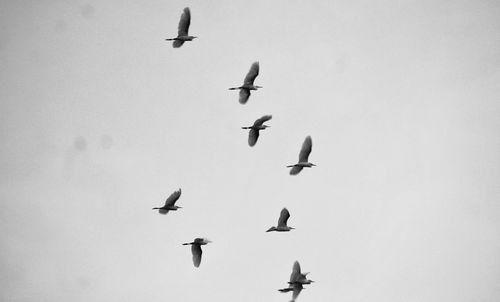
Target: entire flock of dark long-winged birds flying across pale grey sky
{"points": [[297, 279]]}
